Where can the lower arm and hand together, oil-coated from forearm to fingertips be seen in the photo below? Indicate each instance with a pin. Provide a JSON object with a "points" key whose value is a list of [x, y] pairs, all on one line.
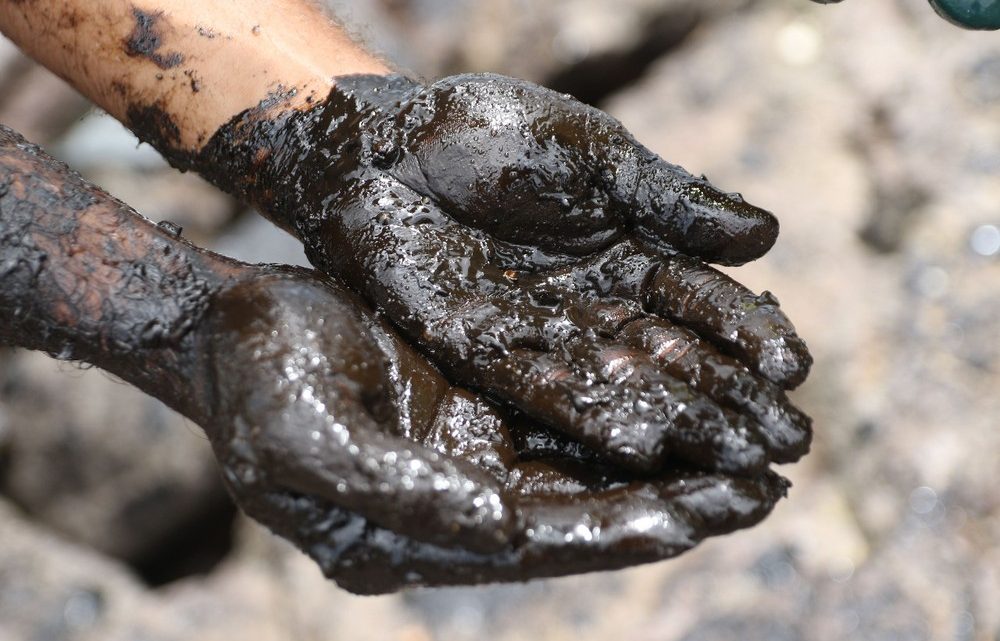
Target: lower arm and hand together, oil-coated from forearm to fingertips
{"points": [[330, 429]]}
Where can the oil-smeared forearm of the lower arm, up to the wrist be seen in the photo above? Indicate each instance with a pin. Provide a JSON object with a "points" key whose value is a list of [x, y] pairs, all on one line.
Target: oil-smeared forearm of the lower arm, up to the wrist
{"points": [[85, 278]]}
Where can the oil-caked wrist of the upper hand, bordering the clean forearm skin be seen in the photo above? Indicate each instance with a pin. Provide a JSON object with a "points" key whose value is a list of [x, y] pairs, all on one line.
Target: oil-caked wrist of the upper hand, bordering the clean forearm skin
{"points": [[279, 154]]}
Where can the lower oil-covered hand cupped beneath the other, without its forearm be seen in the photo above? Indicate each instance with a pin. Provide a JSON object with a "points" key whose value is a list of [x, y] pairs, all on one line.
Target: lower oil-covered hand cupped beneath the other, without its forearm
{"points": [[339, 437]]}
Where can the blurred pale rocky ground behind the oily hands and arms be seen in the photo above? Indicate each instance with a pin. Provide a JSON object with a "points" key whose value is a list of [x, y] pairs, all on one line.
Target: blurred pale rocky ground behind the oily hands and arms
{"points": [[872, 129]]}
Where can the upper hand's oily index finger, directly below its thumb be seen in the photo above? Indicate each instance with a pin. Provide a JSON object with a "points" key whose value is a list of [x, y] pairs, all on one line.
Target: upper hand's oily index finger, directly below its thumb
{"points": [[750, 327]]}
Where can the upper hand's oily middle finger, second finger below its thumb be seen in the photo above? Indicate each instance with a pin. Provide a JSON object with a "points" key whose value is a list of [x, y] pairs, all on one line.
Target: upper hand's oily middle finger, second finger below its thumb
{"points": [[785, 430]]}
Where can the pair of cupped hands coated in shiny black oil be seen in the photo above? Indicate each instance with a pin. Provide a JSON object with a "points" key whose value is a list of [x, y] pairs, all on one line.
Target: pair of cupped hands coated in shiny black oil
{"points": [[513, 360]]}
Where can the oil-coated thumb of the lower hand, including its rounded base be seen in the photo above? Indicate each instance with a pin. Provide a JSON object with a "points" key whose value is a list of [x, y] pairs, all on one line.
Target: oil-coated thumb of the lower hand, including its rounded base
{"points": [[306, 402]]}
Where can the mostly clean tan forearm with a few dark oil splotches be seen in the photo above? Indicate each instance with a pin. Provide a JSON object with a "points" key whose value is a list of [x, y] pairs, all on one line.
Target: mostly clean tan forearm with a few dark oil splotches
{"points": [[176, 70]]}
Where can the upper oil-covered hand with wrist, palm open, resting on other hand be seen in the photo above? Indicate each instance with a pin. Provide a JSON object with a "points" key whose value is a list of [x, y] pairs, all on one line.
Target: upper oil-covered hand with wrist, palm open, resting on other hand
{"points": [[535, 251]]}
